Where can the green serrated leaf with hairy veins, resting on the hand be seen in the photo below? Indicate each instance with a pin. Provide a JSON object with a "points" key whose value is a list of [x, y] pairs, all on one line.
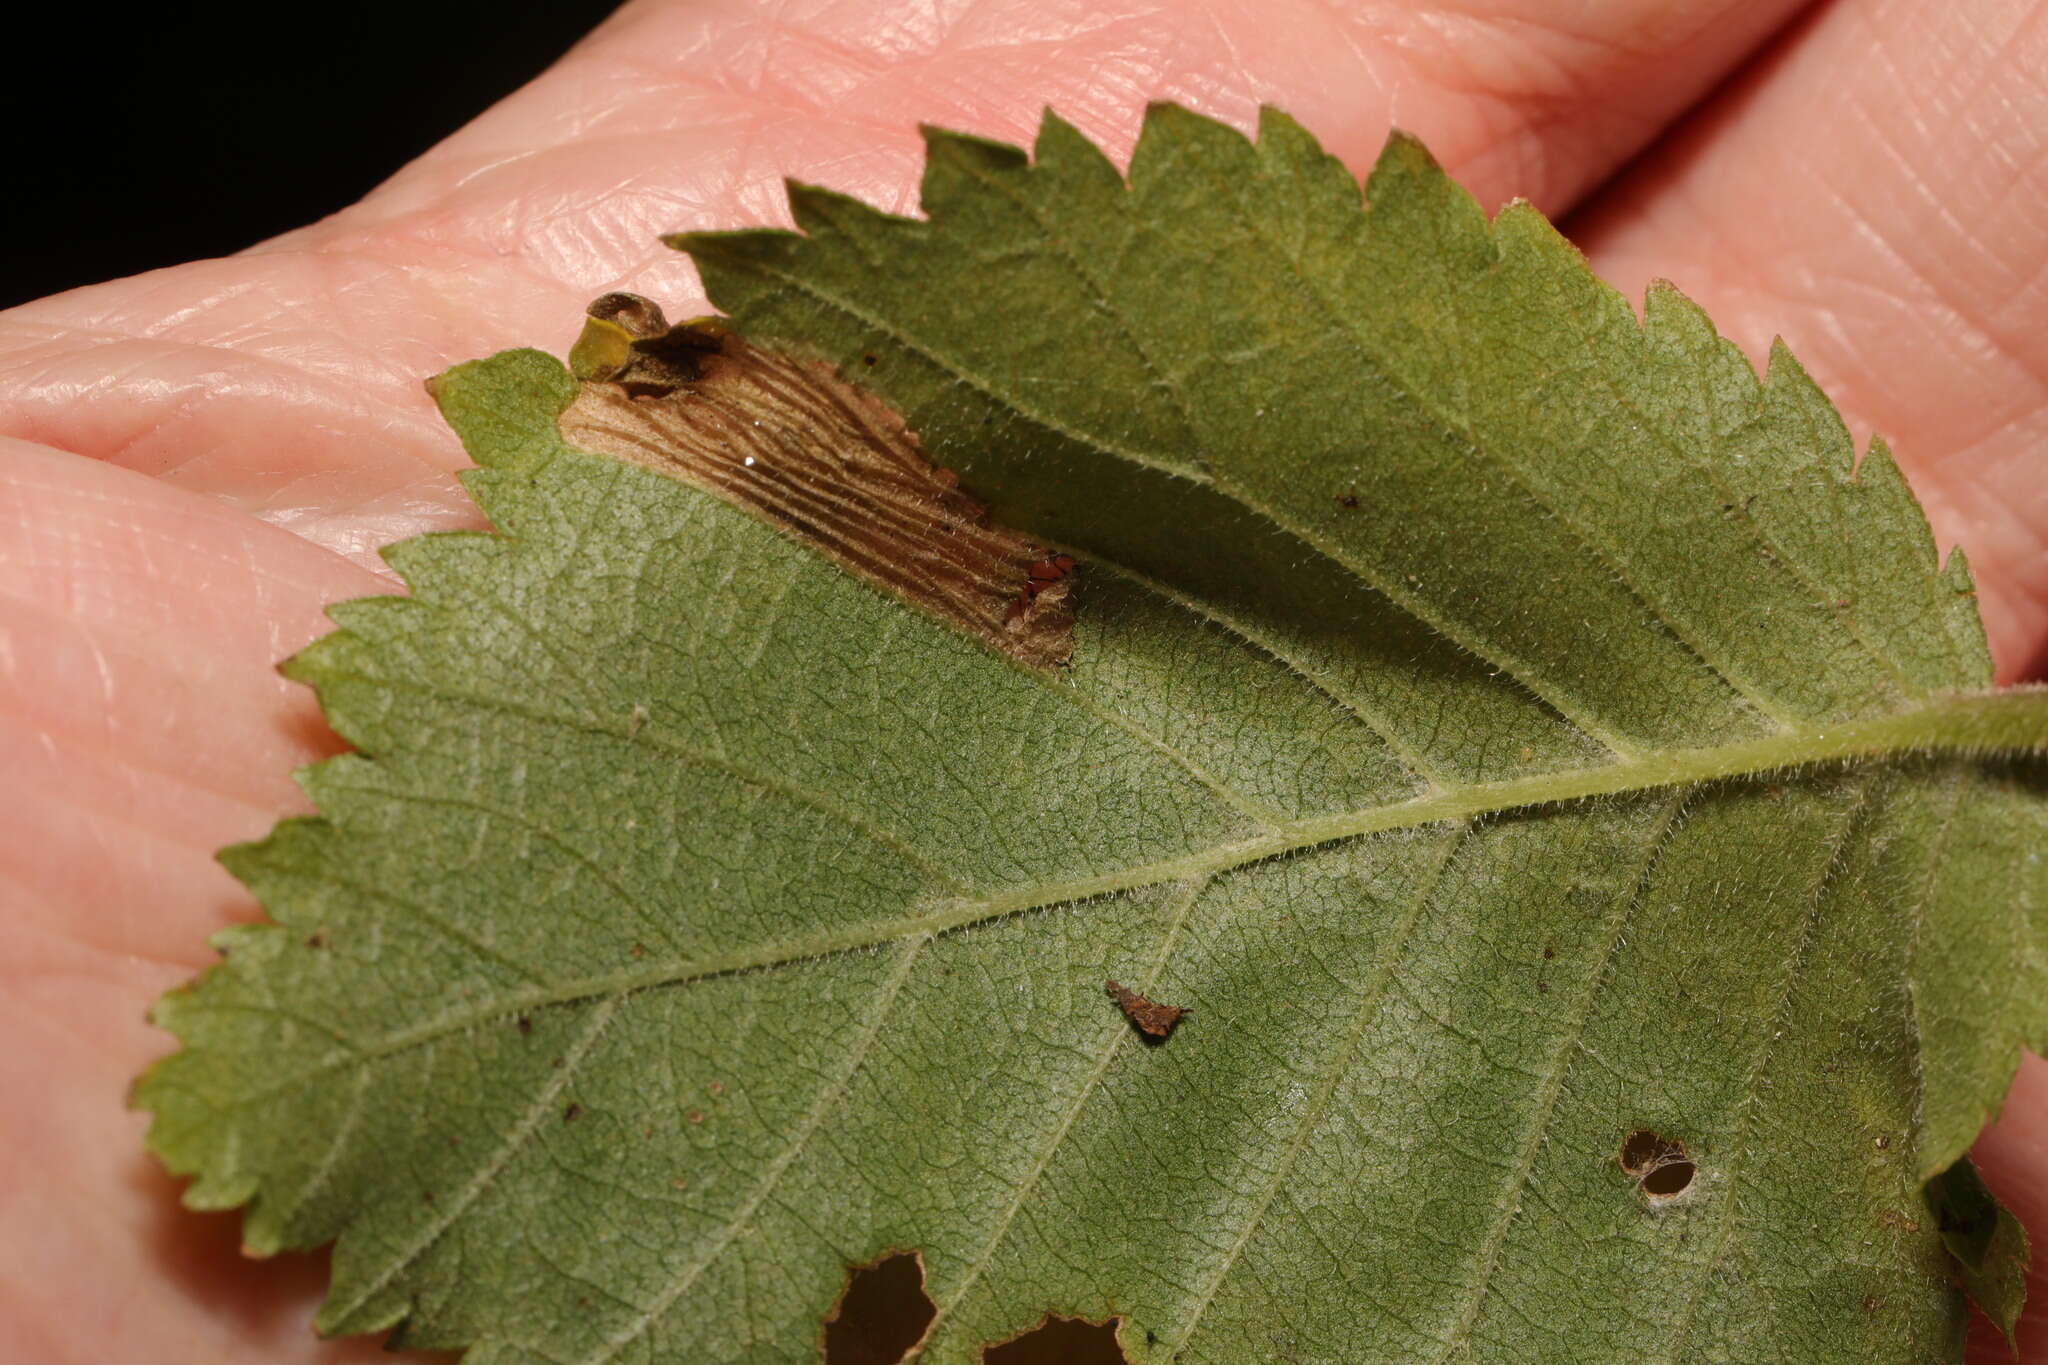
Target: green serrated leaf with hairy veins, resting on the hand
{"points": [[1551, 773]]}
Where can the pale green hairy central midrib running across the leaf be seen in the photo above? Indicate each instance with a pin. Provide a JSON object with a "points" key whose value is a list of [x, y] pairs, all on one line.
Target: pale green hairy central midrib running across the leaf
{"points": [[2004, 721]]}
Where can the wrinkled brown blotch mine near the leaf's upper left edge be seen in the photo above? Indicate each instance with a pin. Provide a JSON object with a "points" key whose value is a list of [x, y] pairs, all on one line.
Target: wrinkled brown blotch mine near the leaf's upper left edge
{"points": [[816, 457]]}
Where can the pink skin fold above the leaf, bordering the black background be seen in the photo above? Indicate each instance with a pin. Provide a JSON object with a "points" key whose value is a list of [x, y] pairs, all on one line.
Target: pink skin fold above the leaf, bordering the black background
{"points": [[288, 380]]}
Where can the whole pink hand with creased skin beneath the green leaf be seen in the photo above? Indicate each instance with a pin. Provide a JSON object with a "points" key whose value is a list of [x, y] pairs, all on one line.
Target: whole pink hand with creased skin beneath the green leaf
{"points": [[196, 461]]}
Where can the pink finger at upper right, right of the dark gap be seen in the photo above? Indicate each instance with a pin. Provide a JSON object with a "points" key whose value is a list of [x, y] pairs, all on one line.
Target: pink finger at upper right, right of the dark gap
{"points": [[1875, 195]]}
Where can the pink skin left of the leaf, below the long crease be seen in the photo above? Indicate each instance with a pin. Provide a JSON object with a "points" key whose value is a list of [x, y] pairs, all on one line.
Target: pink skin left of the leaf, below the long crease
{"points": [[138, 627]]}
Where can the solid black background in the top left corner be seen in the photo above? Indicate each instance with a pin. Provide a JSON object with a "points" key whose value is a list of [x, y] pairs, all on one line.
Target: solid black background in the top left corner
{"points": [[204, 130]]}
